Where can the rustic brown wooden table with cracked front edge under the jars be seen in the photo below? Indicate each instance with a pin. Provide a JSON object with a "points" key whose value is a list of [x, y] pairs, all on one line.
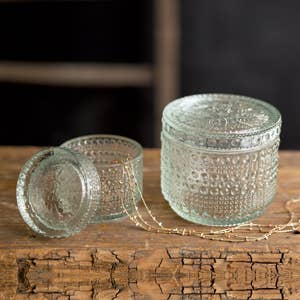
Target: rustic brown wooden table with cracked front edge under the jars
{"points": [[119, 261]]}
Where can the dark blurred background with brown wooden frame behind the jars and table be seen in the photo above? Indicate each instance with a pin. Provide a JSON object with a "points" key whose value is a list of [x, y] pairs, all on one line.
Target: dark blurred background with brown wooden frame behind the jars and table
{"points": [[74, 68]]}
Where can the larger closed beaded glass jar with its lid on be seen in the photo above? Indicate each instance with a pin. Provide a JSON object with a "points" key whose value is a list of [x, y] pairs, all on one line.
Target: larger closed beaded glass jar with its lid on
{"points": [[219, 157]]}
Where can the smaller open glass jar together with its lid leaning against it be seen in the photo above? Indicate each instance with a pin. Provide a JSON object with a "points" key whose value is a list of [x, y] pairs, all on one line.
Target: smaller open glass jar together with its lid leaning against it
{"points": [[60, 190]]}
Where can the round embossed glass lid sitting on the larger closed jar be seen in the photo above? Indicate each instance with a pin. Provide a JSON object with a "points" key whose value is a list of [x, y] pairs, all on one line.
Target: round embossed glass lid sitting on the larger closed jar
{"points": [[222, 121]]}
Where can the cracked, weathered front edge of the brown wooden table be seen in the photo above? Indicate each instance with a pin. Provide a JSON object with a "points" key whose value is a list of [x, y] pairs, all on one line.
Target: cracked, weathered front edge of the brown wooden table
{"points": [[152, 274]]}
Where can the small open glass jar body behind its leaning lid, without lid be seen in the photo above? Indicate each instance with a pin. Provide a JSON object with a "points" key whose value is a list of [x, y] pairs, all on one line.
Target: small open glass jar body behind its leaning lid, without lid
{"points": [[107, 153]]}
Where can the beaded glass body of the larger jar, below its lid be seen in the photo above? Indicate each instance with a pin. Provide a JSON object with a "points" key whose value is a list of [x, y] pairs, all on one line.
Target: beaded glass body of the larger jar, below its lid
{"points": [[217, 187]]}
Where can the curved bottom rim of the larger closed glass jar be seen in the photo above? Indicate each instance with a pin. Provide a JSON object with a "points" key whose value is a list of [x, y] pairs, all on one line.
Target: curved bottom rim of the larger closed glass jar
{"points": [[209, 221]]}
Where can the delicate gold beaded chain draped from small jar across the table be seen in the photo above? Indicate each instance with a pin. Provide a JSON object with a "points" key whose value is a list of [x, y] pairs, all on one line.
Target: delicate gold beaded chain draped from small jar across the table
{"points": [[254, 231]]}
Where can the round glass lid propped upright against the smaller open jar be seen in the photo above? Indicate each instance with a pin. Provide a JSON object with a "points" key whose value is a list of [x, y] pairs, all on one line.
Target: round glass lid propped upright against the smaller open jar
{"points": [[58, 192]]}
